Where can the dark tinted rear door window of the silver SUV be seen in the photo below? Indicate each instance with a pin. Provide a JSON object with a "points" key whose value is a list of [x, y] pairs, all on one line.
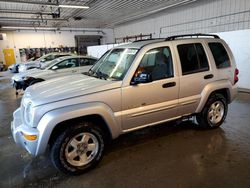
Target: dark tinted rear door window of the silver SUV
{"points": [[193, 58]]}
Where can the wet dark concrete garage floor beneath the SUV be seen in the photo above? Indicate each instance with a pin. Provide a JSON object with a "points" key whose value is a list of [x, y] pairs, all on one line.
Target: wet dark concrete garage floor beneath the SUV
{"points": [[163, 156]]}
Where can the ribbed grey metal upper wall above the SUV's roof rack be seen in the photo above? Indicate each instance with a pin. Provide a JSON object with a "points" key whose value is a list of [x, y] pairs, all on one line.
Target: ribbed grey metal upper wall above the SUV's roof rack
{"points": [[203, 16]]}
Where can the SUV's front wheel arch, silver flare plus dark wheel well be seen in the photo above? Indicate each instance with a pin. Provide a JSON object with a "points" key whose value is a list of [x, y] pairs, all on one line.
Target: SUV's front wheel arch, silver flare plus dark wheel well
{"points": [[57, 120]]}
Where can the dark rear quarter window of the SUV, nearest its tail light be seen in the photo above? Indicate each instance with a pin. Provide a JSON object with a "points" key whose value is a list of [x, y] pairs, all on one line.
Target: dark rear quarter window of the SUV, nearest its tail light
{"points": [[220, 55]]}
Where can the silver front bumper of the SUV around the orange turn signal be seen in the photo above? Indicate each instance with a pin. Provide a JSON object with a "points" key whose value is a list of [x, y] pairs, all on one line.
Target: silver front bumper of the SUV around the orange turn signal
{"points": [[19, 129]]}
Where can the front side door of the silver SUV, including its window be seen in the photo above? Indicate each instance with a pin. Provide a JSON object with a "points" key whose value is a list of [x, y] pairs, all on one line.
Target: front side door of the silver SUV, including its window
{"points": [[156, 101]]}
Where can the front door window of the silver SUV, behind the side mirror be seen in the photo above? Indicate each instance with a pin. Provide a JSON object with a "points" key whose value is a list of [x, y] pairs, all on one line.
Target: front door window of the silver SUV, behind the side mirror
{"points": [[158, 63]]}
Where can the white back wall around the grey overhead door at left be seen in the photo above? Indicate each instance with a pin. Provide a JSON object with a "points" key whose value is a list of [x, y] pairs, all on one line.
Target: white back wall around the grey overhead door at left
{"points": [[39, 39]]}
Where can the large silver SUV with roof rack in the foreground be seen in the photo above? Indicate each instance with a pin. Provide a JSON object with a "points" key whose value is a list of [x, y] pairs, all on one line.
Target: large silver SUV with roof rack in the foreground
{"points": [[130, 87]]}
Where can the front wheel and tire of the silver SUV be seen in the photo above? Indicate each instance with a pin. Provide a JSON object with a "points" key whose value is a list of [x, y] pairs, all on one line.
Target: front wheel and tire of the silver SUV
{"points": [[78, 149]]}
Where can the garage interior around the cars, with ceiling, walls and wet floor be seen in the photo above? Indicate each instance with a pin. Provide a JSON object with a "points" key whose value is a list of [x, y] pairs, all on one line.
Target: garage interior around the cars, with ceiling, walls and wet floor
{"points": [[169, 155]]}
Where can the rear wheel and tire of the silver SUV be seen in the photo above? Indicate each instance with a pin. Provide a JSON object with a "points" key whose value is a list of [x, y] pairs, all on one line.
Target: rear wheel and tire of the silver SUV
{"points": [[214, 113]]}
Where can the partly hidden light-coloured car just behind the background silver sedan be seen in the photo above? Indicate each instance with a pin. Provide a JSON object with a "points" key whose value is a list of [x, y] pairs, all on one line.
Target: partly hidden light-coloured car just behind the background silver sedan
{"points": [[41, 61]]}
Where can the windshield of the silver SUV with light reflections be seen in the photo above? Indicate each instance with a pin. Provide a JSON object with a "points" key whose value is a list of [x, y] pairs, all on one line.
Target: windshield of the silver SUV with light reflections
{"points": [[114, 64]]}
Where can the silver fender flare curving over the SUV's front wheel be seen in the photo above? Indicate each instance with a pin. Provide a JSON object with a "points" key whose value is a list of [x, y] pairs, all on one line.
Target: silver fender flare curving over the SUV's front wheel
{"points": [[52, 118]]}
